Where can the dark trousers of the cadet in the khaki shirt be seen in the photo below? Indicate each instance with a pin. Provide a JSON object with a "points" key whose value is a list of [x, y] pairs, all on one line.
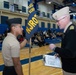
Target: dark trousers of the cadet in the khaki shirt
{"points": [[9, 70]]}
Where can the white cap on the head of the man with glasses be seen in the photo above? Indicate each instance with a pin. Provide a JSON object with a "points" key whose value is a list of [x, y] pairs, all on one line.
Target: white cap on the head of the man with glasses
{"points": [[61, 13]]}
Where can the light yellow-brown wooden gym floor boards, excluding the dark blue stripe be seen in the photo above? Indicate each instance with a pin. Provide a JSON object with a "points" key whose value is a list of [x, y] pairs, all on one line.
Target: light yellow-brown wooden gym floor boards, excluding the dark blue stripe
{"points": [[37, 67]]}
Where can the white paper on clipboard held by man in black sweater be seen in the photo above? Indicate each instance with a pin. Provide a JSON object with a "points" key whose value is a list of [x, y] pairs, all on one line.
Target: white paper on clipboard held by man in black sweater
{"points": [[53, 61]]}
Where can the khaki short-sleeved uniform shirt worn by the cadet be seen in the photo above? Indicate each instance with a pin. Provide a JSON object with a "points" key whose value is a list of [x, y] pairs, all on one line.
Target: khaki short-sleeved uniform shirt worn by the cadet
{"points": [[10, 48]]}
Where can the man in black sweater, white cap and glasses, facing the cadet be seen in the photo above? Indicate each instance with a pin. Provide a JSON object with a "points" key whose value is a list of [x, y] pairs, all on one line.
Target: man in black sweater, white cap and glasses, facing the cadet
{"points": [[67, 52]]}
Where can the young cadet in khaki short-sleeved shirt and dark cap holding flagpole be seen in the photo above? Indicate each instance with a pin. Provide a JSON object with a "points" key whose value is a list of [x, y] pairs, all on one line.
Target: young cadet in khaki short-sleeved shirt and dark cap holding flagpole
{"points": [[11, 48]]}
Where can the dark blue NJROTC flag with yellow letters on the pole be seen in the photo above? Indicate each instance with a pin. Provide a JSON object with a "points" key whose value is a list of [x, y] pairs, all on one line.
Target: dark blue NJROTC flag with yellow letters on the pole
{"points": [[32, 22]]}
